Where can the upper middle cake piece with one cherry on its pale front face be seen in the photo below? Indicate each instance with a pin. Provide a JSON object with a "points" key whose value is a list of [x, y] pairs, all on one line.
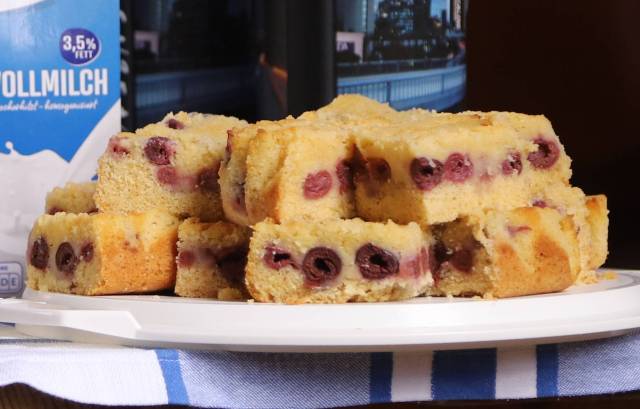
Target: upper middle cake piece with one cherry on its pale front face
{"points": [[300, 172]]}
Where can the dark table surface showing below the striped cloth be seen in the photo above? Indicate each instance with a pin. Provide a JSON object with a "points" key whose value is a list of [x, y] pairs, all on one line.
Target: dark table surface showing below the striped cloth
{"points": [[24, 397]]}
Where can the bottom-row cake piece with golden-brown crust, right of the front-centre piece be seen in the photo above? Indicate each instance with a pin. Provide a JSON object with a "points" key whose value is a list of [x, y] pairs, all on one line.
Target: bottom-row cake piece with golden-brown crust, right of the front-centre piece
{"points": [[524, 251]]}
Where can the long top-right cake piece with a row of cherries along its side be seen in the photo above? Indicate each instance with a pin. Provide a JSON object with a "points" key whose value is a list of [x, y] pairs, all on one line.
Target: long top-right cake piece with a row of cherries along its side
{"points": [[444, 166]]}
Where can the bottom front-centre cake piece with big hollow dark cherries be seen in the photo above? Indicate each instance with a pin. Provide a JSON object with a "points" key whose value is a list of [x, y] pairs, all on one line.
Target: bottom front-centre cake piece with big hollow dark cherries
{"points": [[337, 261]]}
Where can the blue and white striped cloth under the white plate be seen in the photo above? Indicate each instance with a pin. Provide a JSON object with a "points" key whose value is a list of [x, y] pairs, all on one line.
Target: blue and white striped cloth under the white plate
{"points": [[109, 375]]}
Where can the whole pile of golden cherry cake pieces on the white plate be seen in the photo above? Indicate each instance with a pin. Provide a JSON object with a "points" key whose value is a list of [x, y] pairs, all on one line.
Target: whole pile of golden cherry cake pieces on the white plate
{"points": [[353, 202]]}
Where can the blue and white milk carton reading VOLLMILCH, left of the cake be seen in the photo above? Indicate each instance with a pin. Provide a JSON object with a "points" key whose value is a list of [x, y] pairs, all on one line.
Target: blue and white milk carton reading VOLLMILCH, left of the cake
{"points": [[59, 104]]}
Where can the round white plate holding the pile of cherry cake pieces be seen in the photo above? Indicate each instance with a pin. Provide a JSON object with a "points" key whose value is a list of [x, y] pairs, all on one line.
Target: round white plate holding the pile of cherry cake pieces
{"points": [[609, 308]]}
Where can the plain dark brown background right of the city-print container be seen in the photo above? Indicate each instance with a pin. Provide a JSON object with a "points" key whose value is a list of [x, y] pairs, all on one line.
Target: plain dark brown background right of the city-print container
{"points": [[578, 63]]}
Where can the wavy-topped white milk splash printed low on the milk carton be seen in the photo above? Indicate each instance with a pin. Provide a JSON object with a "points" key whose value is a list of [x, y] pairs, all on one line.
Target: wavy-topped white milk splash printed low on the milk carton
{"points": [[24, 183]]}
